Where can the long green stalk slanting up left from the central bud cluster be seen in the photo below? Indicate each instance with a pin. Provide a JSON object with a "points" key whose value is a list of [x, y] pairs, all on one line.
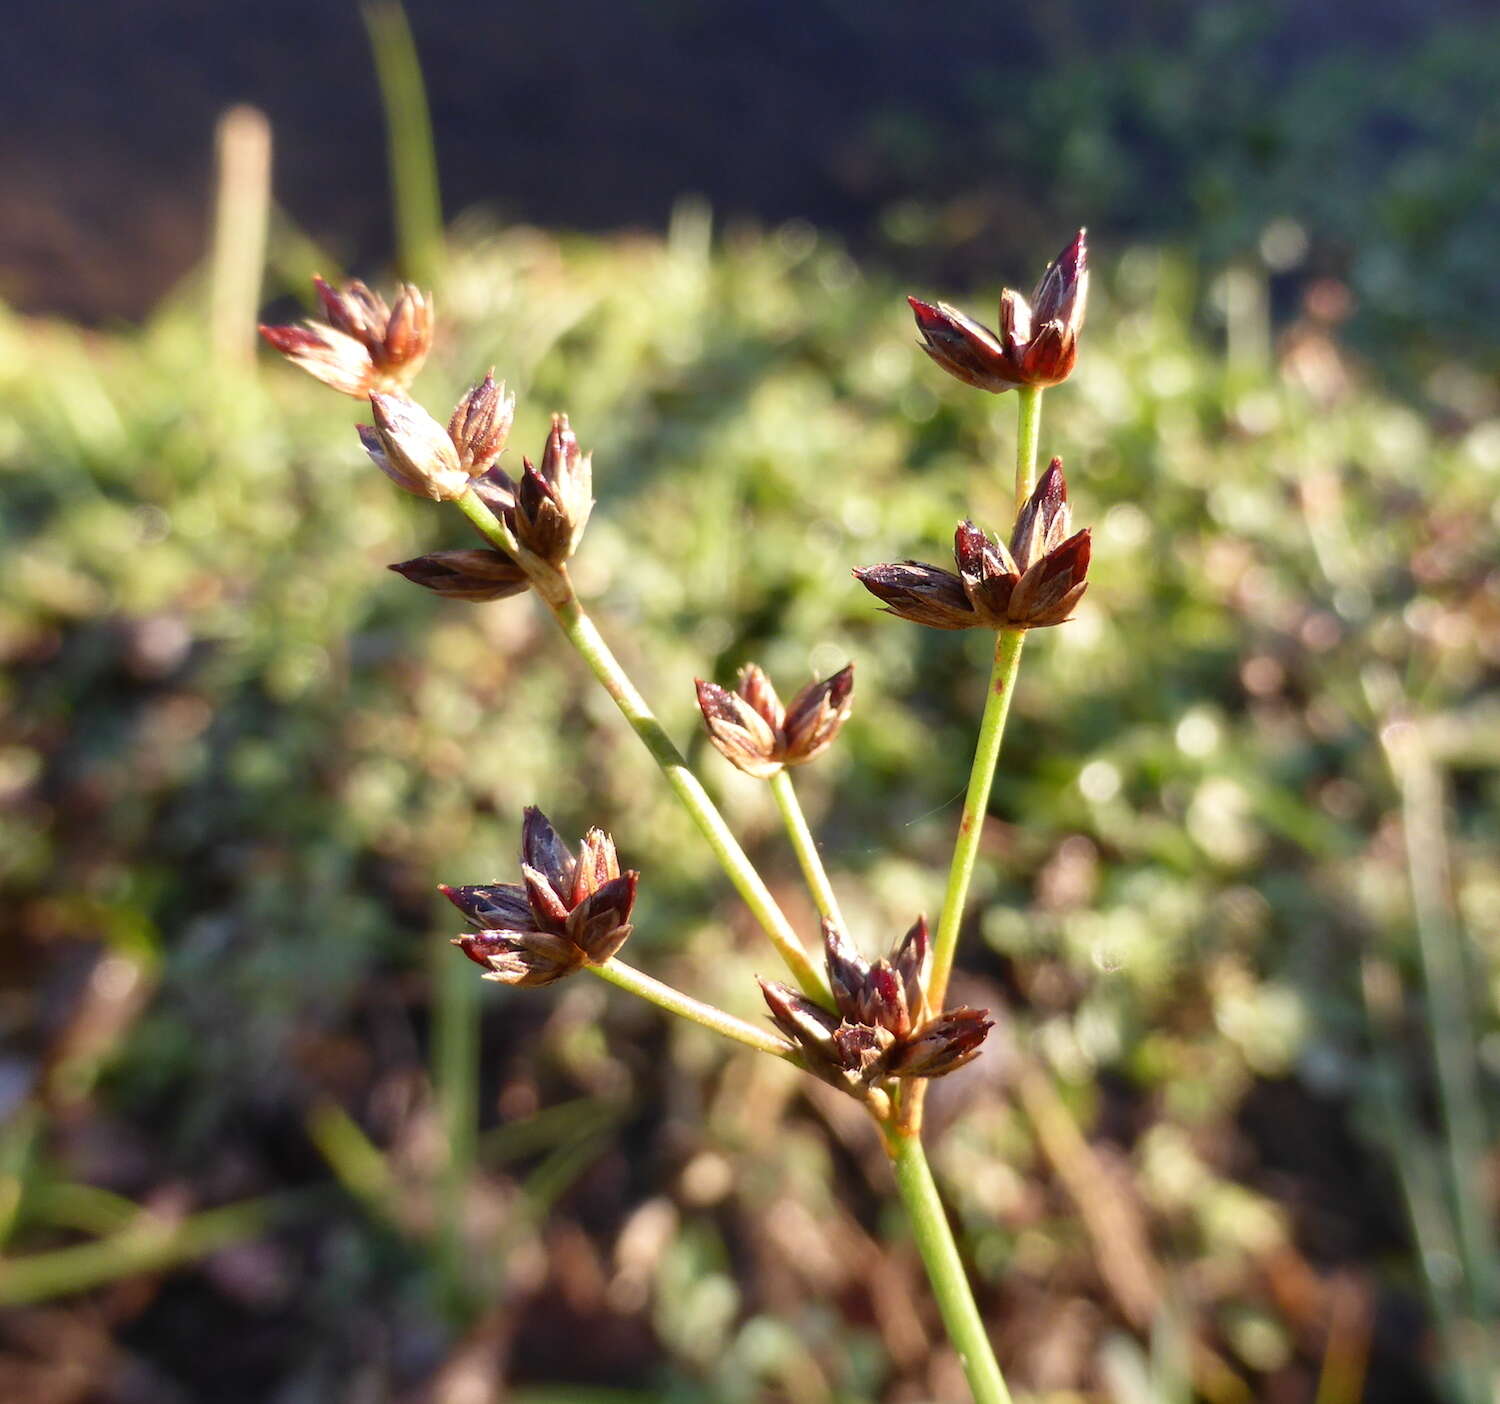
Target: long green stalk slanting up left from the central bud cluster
{"points": [[583, 634]]}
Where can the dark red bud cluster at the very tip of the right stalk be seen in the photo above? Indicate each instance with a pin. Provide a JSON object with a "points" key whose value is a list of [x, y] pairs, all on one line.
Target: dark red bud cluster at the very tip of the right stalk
{"points": [[1039, 341]]}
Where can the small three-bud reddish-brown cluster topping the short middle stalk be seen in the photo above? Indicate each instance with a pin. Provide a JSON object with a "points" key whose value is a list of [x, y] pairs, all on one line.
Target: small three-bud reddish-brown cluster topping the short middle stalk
{"points": [[755, 733]]}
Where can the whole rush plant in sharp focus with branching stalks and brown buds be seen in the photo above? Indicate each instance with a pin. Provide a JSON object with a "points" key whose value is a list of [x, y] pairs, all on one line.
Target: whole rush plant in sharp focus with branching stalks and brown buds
{"points": [[877, 1030]]}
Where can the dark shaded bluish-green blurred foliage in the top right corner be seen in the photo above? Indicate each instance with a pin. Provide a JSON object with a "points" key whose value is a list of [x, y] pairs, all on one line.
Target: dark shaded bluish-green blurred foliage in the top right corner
{"points": [[1297, 136]]}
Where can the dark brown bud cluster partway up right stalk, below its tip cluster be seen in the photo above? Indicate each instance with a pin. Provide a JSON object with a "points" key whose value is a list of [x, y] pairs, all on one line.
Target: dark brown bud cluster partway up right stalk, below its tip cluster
{"points": [[1036, 583]]}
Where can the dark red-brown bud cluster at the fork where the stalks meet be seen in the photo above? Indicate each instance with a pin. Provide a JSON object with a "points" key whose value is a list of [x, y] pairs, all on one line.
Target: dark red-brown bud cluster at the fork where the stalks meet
{"points": [[883, 1028]]}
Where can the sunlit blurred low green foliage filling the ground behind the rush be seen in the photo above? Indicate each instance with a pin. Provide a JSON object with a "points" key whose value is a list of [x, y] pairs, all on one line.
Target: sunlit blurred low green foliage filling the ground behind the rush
{"points": [[238, 758]]}
